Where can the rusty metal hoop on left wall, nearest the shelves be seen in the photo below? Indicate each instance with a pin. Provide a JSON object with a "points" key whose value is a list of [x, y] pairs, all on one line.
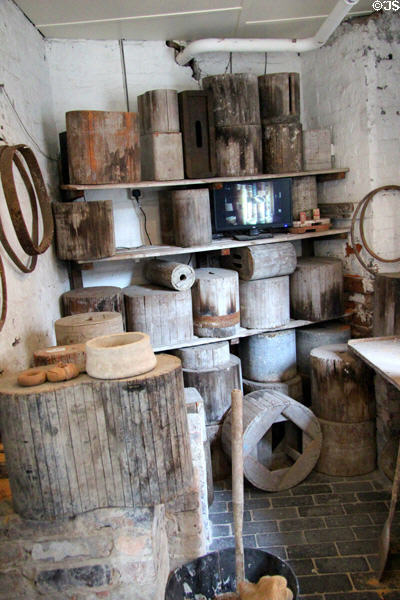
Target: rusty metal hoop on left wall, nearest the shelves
{"points": [[8, 156]]}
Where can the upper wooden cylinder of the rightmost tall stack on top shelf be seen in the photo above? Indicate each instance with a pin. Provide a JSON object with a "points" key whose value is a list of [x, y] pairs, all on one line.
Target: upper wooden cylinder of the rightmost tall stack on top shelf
{"points": [[279, 97]]}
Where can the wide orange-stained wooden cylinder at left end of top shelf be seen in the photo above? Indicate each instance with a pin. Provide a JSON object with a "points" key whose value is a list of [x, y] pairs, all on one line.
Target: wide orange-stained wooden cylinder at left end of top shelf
{"points": [[103, 147]]}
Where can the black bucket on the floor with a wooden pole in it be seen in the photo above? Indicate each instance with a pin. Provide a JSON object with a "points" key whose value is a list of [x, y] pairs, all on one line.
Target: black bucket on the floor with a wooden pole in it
{"points": [[214, 573]]}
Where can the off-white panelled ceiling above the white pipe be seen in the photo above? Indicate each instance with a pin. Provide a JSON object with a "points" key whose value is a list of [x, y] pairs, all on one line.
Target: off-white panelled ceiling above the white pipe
{"points": [[180, 19]]}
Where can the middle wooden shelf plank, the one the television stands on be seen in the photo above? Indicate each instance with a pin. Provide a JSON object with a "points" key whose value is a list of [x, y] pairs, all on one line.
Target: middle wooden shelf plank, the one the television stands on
{"points": [[153, 251]]}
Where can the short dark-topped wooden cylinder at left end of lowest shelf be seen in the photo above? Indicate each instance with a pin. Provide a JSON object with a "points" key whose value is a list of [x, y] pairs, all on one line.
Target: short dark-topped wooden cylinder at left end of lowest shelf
{"points": [[92, 299]]}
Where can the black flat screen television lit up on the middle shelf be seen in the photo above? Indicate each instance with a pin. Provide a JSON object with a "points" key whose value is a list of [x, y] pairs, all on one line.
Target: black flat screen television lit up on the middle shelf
{"points": [[251, 206]]}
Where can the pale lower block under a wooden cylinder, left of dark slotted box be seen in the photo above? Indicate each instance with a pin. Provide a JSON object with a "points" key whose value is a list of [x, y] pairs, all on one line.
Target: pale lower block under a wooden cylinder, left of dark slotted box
{"points": [[162, 156]]}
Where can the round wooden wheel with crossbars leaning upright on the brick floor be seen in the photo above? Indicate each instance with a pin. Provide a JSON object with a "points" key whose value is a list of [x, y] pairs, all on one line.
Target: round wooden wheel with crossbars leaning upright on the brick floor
{"points": [[260, 411]]}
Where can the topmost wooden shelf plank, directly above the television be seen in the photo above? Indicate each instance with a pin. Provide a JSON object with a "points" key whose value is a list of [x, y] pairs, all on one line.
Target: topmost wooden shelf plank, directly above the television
{"points": [[325, 175]]}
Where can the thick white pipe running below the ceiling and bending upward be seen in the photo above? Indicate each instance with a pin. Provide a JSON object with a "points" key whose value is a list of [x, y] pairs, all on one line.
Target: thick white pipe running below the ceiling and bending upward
{"points": [[332, 21]]}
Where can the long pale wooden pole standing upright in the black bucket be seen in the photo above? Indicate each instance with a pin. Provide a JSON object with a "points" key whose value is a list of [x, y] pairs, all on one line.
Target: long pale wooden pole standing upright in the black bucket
{"points": [[237, 480]]}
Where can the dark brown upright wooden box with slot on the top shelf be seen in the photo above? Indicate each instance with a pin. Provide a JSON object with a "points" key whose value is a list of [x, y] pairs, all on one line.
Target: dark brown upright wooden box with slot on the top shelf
{"points": [[198, 133]]}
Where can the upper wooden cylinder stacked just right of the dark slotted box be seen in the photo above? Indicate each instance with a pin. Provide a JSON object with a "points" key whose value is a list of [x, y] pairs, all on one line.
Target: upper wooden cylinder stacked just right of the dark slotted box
{"points": [[235, 98]]}
